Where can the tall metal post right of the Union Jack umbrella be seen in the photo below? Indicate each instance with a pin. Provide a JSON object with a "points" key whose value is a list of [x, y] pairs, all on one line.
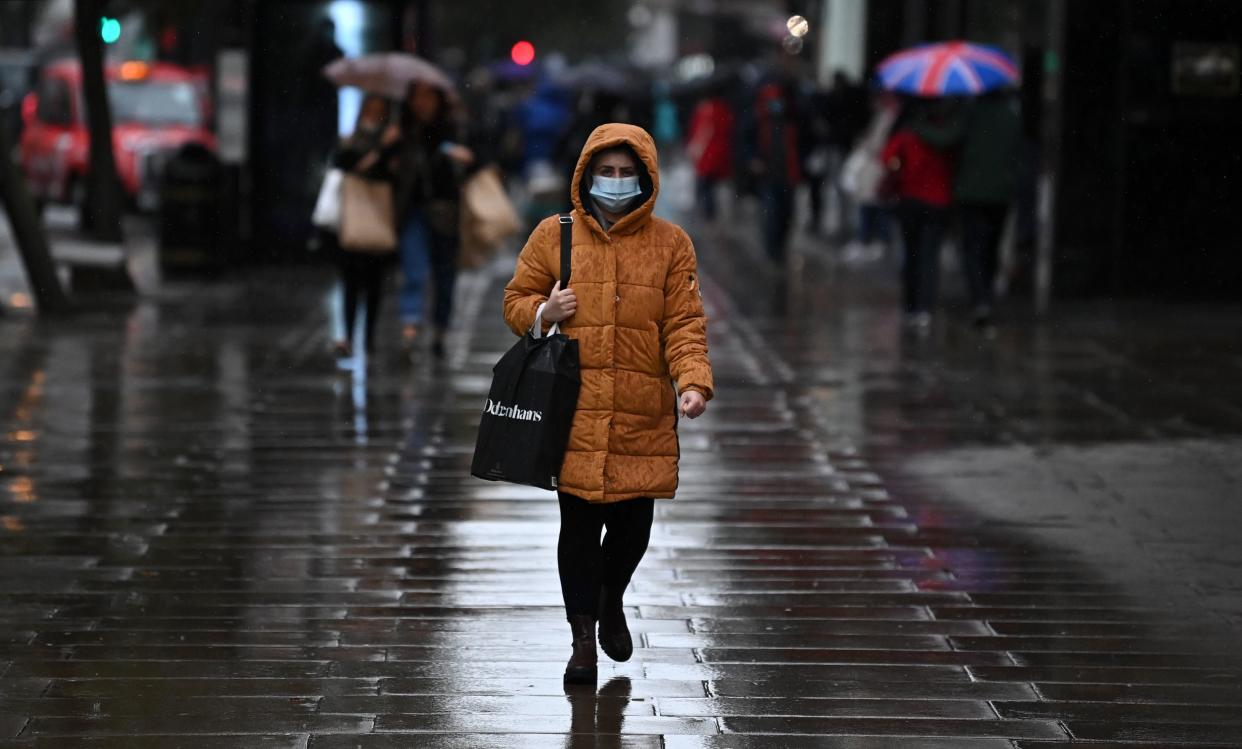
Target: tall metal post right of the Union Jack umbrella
{"points": [[1050, 153]]}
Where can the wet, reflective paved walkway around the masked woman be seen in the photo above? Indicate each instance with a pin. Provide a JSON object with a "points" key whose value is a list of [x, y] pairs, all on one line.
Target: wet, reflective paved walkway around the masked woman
{"points": [[213, 537]]}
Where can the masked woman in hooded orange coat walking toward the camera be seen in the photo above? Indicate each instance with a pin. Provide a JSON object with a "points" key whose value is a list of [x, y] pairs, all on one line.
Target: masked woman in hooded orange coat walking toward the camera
{"points": [[640, 326]]}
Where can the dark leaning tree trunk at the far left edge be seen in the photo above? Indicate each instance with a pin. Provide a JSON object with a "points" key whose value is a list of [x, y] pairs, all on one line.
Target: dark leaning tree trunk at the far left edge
{"points": [[28, 230]]}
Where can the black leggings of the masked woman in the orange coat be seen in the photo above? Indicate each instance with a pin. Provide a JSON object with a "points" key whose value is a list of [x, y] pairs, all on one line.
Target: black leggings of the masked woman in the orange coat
{"points": [[586, 565]]}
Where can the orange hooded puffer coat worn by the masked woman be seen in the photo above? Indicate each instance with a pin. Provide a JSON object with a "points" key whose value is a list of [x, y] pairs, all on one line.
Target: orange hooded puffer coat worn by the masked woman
{"points": [[640, 327]]}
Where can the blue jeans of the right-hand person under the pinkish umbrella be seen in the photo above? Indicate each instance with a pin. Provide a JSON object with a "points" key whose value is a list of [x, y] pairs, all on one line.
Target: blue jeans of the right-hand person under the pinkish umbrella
{"points": [[427, 254]]}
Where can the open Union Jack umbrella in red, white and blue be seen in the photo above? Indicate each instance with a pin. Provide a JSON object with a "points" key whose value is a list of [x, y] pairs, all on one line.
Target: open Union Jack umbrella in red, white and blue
{"points": [[948, 69]]}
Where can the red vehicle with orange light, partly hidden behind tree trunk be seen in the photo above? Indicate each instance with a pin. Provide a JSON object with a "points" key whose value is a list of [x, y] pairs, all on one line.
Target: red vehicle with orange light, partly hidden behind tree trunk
{"points": [[157, 109]]}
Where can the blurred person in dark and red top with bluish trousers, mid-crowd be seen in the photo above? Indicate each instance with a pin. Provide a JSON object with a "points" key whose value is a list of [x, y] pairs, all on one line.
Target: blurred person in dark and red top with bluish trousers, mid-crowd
{"points": [[776, 163]]}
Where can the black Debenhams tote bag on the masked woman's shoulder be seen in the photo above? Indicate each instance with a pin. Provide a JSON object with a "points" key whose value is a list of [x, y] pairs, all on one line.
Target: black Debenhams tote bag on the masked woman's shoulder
{"points": [[531, 407]]}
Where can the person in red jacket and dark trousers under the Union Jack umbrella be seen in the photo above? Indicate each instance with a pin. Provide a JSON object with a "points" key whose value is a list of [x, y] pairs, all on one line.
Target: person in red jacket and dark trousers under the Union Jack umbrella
{"points": [[922, 178]]}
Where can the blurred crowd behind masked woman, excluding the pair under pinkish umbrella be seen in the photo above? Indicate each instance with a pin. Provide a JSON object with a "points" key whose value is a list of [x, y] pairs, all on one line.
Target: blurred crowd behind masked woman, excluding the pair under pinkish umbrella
{"points": [[866, 173]]}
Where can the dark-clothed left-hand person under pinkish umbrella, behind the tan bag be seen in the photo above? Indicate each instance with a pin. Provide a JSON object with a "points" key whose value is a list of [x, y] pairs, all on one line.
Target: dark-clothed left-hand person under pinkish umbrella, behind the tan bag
{"points": [[367, 153]]}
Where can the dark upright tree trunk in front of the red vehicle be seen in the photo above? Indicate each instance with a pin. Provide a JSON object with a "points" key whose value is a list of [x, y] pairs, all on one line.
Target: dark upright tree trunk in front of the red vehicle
{"points": [[101, 213]]}
